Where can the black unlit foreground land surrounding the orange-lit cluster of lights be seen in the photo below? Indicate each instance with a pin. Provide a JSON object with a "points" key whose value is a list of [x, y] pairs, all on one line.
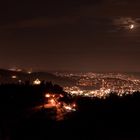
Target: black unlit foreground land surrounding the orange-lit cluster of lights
{"points": [[115, 118]]}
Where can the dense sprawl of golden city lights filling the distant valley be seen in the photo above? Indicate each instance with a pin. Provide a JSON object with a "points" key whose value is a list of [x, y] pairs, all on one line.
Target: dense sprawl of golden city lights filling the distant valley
{"points": [[101, 85]]}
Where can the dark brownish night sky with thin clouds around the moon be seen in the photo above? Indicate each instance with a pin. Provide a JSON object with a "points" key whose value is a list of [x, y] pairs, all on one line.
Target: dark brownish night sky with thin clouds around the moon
{"points": [[83, 35]]}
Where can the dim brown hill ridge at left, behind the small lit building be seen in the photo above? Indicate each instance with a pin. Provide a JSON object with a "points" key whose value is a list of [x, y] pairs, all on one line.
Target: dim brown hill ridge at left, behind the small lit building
{"points": [[6, 77]]}
